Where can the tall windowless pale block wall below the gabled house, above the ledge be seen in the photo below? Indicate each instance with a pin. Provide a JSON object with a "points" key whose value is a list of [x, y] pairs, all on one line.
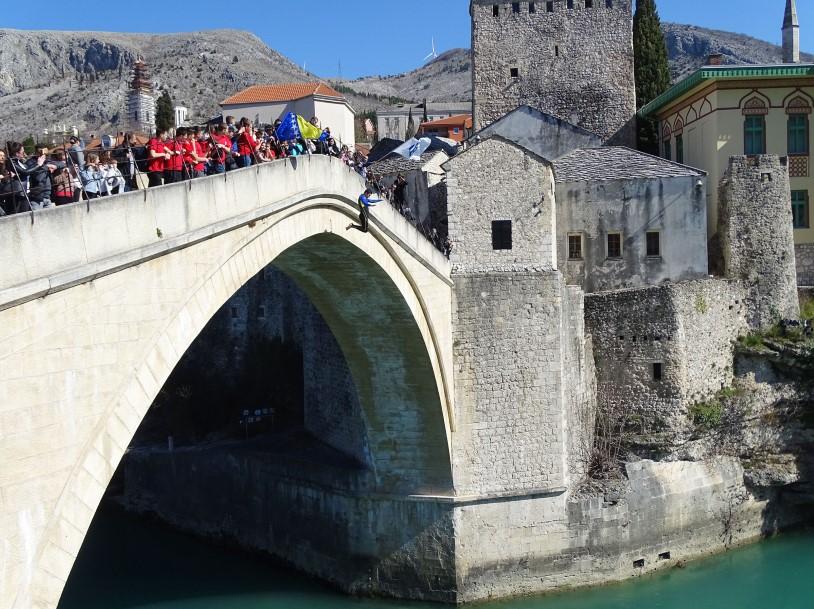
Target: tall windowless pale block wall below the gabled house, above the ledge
{"points": [[508, 382]]}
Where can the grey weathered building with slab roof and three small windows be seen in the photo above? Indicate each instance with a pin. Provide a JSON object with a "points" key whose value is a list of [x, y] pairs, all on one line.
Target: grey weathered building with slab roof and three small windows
{"points": [[627, 219]]}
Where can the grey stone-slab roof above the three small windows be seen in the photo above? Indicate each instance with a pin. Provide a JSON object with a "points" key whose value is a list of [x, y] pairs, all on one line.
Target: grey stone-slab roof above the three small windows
{"points": [[617, 163]]}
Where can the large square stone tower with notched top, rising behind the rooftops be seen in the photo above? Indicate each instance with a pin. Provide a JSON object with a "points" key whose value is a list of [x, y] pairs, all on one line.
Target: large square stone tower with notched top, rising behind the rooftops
{"points": [[570, 58]]}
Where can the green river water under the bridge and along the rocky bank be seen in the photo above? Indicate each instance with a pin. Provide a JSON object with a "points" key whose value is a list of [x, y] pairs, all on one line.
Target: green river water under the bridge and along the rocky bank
{"points": [[127, 563]]}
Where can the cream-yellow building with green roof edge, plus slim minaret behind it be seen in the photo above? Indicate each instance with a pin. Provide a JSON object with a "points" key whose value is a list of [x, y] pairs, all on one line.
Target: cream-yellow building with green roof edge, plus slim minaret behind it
{"points": [[731, 110]]}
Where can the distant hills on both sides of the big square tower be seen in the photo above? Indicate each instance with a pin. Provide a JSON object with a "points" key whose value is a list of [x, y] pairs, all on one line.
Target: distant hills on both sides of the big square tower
{"points": [[448, 78]]}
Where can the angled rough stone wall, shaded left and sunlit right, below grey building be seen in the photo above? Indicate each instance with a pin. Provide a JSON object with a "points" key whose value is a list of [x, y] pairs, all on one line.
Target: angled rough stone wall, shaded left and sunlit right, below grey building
{"points": [[688, 328]]}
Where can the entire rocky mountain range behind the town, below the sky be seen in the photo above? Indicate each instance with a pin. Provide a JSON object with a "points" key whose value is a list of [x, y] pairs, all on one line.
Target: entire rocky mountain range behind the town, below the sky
{"points": [[80, 78]]}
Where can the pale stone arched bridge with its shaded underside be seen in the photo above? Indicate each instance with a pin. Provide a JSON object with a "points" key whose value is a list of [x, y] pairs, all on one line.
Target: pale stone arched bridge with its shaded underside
{"points": [[99, 302]]}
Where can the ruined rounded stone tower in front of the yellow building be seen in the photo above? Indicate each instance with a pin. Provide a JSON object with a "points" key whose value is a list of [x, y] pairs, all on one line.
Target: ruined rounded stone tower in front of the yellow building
{"points": [[757, 236]]}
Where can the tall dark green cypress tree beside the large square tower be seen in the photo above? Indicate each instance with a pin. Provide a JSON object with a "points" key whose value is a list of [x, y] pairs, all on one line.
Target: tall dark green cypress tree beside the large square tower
{"points": [[652, 69]]}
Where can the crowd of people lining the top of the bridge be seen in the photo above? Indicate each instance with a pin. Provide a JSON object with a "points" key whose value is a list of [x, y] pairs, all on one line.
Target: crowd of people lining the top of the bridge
{"points": [[48, 178]]}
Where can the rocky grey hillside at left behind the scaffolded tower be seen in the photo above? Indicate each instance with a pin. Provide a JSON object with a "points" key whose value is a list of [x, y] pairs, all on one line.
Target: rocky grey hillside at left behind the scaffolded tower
{"points": [[80, 78]]}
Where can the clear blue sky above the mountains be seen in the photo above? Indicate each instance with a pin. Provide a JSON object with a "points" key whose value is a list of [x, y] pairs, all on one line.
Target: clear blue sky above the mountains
{"points": [[366, 36]]}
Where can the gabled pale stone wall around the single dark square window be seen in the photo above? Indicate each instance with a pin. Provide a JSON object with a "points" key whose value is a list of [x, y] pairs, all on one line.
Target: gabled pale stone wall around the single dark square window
{"points": [[499, 180]]}
